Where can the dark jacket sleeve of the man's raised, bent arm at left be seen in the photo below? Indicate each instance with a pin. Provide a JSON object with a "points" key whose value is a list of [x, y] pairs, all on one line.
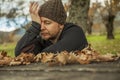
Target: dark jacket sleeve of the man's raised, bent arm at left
{"points": [[31, 38]]}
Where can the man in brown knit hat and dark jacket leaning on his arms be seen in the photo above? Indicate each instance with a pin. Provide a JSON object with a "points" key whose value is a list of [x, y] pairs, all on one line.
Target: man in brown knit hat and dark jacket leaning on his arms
{"points": [[49, 32]]}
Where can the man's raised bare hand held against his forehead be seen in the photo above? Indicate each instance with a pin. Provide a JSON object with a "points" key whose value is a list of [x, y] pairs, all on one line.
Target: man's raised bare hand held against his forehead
{"points": [[33, 9]]}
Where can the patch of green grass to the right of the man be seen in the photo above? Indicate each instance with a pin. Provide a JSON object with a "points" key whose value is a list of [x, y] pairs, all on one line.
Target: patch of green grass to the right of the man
{"points": [[103, 46]]}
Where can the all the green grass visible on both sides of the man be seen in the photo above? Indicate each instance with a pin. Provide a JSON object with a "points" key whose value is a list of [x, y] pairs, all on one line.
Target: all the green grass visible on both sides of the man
{"points": [[99, 43]]}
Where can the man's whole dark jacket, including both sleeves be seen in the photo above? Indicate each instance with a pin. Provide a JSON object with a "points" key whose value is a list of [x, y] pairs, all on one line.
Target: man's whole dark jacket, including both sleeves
{"points": [[72, 38]]}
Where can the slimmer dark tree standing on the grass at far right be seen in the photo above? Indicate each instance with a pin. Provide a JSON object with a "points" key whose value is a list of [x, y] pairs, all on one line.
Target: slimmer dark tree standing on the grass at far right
{"points": [[113, 7]]}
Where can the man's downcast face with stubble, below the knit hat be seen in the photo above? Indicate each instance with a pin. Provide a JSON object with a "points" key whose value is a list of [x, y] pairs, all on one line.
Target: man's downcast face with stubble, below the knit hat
{"points": [[49, 29]]}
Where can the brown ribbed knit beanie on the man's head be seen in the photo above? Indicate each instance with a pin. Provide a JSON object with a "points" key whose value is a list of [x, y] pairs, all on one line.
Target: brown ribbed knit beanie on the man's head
{"points": [[54, 10]]}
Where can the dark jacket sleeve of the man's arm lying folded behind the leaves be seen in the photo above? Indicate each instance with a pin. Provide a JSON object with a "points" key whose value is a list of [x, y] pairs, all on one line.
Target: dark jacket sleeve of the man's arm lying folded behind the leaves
{"points": [[73, 39]]}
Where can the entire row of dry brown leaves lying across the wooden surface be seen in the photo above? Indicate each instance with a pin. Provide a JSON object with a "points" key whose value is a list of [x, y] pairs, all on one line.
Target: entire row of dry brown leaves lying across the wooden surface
{"points": [[84, 56]]}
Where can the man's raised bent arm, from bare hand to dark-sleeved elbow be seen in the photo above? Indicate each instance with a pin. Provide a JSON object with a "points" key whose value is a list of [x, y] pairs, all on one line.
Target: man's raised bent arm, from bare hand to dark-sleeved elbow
{"points": [[30, 41]]}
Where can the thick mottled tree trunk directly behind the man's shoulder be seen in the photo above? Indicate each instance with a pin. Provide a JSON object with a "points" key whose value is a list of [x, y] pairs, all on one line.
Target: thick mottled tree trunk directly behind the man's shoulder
{"points": [[78, 13]]}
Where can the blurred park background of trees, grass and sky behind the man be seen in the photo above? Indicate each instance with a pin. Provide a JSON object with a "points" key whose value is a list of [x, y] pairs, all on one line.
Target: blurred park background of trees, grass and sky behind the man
{"points": [[100, 20]]}
